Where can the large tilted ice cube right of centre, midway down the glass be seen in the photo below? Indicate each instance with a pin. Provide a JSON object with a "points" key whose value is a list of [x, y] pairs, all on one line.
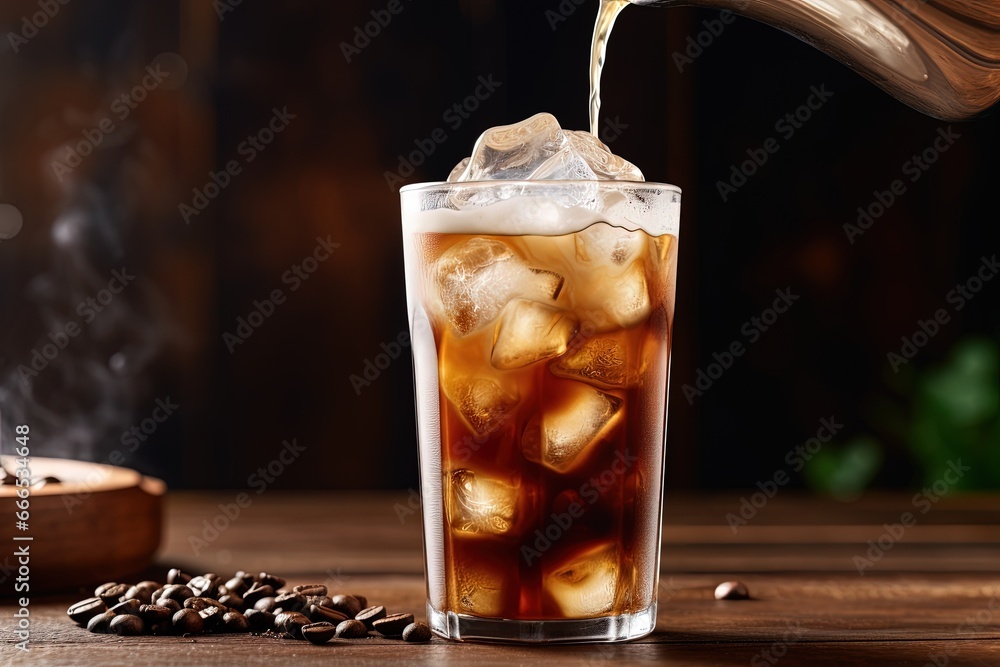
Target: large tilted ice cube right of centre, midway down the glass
{"points": [[562, 436]]}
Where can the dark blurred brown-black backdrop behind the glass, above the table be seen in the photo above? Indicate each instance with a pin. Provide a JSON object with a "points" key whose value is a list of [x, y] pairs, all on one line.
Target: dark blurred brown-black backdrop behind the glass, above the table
{"points": [[318, 122]]}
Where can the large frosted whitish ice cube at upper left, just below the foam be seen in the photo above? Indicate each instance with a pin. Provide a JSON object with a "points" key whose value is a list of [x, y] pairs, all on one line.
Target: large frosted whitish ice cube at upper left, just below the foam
{"points": [[476, 279]]}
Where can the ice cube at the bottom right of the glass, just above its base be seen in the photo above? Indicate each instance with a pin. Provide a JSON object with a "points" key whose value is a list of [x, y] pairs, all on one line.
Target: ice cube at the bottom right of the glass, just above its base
{"points": [[585, 584]]}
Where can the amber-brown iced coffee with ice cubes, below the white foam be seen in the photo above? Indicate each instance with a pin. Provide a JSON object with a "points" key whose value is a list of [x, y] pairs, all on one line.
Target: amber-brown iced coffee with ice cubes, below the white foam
{"points": [[552, 467]]}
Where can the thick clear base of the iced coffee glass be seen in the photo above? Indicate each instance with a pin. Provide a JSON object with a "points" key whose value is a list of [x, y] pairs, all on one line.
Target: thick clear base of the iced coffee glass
{"points": [[460, 627]]}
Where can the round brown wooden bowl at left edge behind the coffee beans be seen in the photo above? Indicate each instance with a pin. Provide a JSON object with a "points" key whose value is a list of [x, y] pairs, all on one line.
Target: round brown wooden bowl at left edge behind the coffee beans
{"points": [[100, 524]]}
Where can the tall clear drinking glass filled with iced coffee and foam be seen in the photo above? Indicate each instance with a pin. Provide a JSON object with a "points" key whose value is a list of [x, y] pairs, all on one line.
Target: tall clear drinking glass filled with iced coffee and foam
{"points": [[541, 318]]}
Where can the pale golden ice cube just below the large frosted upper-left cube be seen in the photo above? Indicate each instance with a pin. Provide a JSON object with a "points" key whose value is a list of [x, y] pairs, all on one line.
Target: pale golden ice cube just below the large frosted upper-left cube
{"points": [[528, 332]]}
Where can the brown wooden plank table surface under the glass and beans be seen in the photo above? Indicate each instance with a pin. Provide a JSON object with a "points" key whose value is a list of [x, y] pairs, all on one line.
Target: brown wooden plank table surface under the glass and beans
{"points": [[933, 598]]}
